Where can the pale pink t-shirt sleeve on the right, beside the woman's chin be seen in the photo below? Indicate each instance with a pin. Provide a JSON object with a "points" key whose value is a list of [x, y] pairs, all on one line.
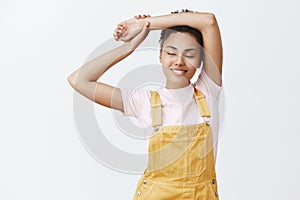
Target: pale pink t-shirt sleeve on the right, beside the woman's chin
{"points": [[204, 82]]}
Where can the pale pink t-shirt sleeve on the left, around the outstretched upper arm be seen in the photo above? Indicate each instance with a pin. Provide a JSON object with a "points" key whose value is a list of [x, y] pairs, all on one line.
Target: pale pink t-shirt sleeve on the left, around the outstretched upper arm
{"points": [[135, 101]]}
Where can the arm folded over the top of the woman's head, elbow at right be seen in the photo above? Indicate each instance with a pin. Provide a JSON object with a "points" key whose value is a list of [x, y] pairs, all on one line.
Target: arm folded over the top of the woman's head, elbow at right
{"points": [[206, 23]]}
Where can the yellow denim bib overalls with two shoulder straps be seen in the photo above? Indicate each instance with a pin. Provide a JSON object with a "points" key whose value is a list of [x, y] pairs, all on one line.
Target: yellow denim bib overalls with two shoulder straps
{"points": [[181, 159]]}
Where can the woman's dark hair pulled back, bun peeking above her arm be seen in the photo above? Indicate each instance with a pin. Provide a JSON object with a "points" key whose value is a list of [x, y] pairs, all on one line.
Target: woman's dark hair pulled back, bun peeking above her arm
{"points": [[165, 33]]}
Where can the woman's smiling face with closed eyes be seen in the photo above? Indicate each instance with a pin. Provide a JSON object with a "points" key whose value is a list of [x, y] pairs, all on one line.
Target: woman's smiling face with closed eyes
{"points": [[180, 56]]}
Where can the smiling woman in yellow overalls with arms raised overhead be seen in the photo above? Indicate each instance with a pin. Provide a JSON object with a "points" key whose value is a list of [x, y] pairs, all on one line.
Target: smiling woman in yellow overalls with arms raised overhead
{"points": [[184, 116]]}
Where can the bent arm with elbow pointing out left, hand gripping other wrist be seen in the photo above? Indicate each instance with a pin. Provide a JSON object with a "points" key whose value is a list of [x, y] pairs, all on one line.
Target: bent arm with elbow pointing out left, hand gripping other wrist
{"points": [[84, 79]]}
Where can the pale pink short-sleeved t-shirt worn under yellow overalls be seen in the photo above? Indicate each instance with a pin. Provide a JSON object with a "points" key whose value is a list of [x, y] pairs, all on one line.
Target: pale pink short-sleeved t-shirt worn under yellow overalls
{"points": [[178, 106]]}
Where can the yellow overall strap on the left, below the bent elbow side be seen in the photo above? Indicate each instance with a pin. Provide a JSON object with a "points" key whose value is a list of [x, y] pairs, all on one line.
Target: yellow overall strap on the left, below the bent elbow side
{"points": [[155, 108]]}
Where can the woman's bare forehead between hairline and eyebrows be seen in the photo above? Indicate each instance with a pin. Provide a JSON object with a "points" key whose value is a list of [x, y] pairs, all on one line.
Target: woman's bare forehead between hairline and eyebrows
{"points": [[181, 41]]}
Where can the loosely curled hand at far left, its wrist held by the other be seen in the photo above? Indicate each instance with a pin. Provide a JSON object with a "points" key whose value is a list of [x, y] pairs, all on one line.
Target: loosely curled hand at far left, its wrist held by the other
{"points": [[128, 29]]}
